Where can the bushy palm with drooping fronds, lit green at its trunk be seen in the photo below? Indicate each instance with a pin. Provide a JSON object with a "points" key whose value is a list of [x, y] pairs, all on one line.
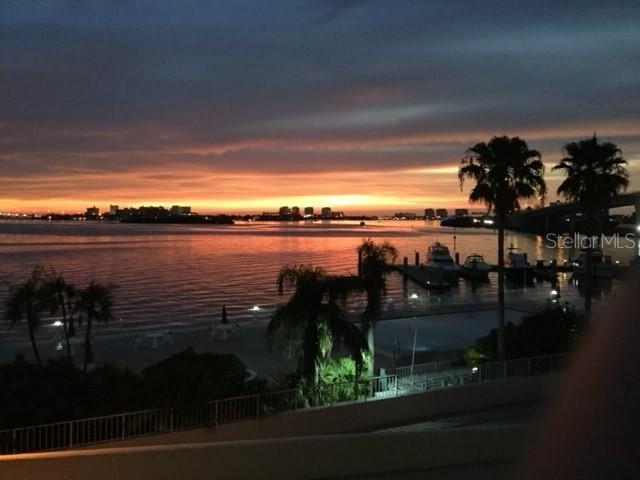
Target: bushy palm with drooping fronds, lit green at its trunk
{"points": [[314, 316]]}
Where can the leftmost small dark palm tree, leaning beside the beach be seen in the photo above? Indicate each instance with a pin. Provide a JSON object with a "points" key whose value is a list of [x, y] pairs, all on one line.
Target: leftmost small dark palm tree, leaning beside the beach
{"points": [[27, 302]]}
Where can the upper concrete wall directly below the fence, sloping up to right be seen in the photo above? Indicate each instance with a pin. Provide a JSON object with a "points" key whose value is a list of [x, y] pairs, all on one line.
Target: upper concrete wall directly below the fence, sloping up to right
{"points": [[360, 417]]}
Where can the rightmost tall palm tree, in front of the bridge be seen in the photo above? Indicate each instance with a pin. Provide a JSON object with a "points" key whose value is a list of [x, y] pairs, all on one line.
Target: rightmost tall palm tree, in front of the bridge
{"points": [[595, 172]]}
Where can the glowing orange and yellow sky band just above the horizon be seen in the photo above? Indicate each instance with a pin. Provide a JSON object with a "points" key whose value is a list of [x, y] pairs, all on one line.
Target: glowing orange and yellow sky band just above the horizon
{"points": [[219, 189]]}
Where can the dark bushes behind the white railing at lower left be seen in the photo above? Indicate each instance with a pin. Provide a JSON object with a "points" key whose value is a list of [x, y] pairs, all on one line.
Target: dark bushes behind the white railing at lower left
{"points": [[35, 394]]}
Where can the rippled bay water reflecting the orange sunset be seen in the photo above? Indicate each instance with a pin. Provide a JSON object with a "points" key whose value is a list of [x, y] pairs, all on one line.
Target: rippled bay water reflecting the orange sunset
{"points": [[184, 274]]}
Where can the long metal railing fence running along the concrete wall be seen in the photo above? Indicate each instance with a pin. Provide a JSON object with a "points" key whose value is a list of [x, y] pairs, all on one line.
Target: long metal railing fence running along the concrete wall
{"points": [[406, 381]]}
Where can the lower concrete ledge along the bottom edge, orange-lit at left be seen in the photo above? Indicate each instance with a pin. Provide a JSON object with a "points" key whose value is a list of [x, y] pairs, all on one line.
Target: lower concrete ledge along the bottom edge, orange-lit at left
{"points": [[432, 454]]}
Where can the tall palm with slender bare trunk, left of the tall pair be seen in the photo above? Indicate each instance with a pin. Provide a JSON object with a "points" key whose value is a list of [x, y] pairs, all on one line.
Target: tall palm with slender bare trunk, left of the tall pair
{"points": [[505, 171]]}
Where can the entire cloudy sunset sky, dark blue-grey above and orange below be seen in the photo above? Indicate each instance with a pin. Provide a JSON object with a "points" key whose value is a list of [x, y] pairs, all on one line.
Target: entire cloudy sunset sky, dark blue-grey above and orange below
{"points": [[243, 106]]}
